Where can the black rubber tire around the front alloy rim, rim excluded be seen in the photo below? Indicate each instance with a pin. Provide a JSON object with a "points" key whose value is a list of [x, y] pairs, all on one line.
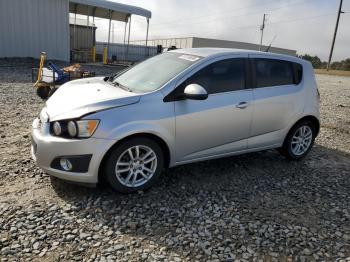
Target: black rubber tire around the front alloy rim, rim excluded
{"points": [[111, 161]]}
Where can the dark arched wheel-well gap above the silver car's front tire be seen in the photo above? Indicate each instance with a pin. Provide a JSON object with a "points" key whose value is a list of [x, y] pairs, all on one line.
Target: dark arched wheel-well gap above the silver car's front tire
{"points": [[164, 146]]}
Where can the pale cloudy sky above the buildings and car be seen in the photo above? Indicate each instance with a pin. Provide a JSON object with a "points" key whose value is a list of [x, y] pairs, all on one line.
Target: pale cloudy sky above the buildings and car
{"points": [[304, 25]]}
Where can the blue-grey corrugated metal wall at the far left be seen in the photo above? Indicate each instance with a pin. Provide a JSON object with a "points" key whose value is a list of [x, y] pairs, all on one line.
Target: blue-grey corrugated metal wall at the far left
{"points": [[28, 27]]}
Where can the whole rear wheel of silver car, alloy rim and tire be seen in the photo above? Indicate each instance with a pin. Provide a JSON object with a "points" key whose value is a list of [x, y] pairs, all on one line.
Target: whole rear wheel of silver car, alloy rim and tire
{"points": [[299, 141]]}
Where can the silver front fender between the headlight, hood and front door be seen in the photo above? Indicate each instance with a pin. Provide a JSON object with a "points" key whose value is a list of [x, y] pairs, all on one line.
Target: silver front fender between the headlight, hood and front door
{"points": [[146, 117]]}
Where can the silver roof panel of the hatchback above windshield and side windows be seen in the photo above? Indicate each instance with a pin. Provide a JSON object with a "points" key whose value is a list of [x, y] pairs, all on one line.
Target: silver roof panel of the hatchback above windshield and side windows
{"points": [[212, 52]]}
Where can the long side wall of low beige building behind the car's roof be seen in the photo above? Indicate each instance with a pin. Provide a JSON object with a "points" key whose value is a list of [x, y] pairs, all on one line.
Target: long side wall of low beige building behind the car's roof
{"points": [[205, 42]]}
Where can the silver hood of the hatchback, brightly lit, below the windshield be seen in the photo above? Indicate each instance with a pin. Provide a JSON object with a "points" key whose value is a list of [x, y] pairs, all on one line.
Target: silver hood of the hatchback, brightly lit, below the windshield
{"points": [[80, 97]]}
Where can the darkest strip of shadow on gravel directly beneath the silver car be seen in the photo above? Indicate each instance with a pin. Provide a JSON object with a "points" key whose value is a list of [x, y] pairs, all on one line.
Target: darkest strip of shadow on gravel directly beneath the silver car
{"points": [[225, 174]]}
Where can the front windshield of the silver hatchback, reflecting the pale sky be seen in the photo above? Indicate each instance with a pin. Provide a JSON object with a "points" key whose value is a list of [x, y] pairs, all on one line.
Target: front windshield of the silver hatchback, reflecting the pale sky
{"points": [[153, 73]]}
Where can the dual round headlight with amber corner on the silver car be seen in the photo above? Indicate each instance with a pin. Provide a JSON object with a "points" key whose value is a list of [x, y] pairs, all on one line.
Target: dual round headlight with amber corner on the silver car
{"points": [[72, 128]]}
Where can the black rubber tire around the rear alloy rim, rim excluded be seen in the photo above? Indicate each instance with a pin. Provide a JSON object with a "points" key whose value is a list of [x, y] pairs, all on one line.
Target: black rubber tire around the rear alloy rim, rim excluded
{"points": [[287, 150]]}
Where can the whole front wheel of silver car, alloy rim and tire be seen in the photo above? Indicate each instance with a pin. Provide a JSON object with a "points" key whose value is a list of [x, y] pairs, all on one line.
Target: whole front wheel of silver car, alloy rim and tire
{"points": [[134, 165]]}
